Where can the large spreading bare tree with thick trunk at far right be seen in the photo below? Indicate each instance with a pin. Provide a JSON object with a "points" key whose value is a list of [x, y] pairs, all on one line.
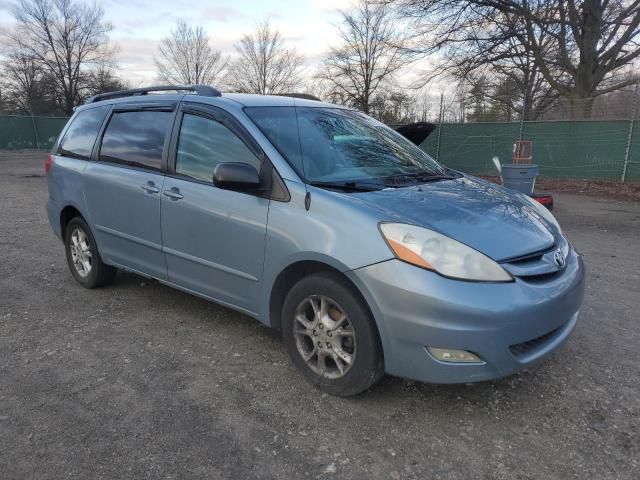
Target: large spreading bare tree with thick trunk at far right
{"points": [[580, 49]]}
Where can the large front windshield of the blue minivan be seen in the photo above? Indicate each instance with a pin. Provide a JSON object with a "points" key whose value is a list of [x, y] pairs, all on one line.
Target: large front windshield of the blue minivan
{"points": [[338, 145]]}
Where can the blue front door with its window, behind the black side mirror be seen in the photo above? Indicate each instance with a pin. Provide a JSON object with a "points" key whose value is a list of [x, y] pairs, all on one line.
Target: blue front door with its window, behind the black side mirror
{"points": [[213, 238]]}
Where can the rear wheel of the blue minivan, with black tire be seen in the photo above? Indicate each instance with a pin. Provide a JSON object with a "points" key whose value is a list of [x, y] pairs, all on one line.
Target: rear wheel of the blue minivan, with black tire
{"points": [[83, 257]]}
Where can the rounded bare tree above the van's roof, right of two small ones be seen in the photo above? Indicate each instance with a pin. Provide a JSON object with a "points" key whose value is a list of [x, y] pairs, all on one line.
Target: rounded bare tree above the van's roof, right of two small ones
{"points": [[265, 65]]}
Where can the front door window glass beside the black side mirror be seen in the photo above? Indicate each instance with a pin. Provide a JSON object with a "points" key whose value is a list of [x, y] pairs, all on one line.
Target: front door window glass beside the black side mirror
{"points": [[204, 143]]}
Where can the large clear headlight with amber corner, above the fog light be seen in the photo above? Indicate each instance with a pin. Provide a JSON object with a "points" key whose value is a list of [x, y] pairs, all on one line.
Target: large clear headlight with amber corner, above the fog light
{"points": [[433, 251]]}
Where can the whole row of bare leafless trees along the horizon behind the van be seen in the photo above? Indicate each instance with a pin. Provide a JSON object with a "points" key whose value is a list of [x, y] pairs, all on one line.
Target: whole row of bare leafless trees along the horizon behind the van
{"points": [[502, 60]]}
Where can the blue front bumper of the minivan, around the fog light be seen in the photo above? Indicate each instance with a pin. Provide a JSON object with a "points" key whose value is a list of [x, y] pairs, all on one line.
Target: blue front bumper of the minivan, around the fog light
{"points": [[510, 326]]}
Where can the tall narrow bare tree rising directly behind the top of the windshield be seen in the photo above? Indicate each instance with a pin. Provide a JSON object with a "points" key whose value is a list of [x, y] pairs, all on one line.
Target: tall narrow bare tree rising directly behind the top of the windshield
{"points": [[369, 53]]}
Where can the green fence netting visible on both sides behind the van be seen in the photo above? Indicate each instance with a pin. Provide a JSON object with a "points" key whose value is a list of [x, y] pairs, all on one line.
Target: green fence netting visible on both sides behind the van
{"points": [[563, 149]]}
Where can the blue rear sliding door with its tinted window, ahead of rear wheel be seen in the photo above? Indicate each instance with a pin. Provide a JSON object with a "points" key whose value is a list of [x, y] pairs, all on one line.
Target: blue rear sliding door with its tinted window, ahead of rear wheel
{"points": [[123, 186]]}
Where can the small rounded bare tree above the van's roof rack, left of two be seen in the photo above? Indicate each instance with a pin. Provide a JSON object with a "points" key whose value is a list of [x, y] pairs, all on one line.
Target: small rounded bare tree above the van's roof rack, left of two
{"points": [[186, 57]]}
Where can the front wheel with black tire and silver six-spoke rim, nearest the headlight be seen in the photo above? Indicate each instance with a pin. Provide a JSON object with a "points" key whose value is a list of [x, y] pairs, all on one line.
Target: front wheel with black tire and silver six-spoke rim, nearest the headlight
{"points": [[330, 335]]}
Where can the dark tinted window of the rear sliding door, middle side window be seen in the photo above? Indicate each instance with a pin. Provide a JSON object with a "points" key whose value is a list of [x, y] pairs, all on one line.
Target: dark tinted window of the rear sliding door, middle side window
{"points": [[135, 139]]}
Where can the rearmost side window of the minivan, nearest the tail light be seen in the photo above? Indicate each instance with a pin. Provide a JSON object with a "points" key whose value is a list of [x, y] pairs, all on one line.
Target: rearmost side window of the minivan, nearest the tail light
{"points": [[82, 132]]}
